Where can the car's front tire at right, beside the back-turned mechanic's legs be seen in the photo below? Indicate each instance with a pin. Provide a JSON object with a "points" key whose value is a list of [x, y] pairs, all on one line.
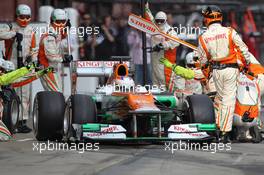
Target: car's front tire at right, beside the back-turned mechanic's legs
{"points": [[200, 109]]}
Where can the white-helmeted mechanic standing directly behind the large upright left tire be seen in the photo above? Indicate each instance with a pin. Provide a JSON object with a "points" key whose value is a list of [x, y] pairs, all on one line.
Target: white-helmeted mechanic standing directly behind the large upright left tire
{"points": [[52, 48]]}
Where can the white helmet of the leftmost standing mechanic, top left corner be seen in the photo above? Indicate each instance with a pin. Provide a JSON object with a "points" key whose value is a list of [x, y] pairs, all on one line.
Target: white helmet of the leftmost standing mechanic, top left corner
{"points": [[23, 15]]}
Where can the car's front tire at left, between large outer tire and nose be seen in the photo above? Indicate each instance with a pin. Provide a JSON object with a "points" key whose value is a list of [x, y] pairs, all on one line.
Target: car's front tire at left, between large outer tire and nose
{"points": [[83, 109]]}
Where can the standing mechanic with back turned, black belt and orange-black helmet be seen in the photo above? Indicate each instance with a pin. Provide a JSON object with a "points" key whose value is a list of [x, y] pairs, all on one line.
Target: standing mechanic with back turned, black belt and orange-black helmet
{"points": [[220, 46]]}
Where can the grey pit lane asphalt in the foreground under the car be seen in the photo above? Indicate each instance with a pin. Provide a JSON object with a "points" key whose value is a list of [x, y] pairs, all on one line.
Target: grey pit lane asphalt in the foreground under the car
{"points": [[18, 157]]}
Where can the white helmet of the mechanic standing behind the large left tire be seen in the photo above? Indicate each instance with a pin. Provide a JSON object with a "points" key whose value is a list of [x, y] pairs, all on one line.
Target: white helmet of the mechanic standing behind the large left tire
{"points": [[58, 19]]}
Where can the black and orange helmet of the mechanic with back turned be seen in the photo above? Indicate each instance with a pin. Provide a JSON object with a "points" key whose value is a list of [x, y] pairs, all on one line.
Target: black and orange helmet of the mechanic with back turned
{"points": [[212, 14]]}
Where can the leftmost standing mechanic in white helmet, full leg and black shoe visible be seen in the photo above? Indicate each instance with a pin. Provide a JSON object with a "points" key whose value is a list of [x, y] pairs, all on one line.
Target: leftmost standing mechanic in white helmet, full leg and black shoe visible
{"points": [[12, 34]]}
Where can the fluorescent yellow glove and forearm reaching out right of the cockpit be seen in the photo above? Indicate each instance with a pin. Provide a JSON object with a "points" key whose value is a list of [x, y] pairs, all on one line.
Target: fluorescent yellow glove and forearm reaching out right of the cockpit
{"points": [[178, 70]]}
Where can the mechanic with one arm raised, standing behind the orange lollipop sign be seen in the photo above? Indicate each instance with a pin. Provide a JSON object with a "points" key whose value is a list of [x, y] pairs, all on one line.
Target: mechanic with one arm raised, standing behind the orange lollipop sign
{"points": [[163, 48]]}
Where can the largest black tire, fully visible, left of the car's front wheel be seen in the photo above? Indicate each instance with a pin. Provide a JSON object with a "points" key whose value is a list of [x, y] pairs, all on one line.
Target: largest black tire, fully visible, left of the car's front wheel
{"points": [[48, 115]]}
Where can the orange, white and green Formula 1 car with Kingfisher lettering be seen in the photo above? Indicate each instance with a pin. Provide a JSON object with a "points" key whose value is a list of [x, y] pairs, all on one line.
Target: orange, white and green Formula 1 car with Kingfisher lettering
{"points": [[120, 110]]}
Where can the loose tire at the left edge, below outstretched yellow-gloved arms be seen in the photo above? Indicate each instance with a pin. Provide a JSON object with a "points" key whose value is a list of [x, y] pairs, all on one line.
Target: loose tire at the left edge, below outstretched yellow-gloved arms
{"points": [[11, 110]]}
